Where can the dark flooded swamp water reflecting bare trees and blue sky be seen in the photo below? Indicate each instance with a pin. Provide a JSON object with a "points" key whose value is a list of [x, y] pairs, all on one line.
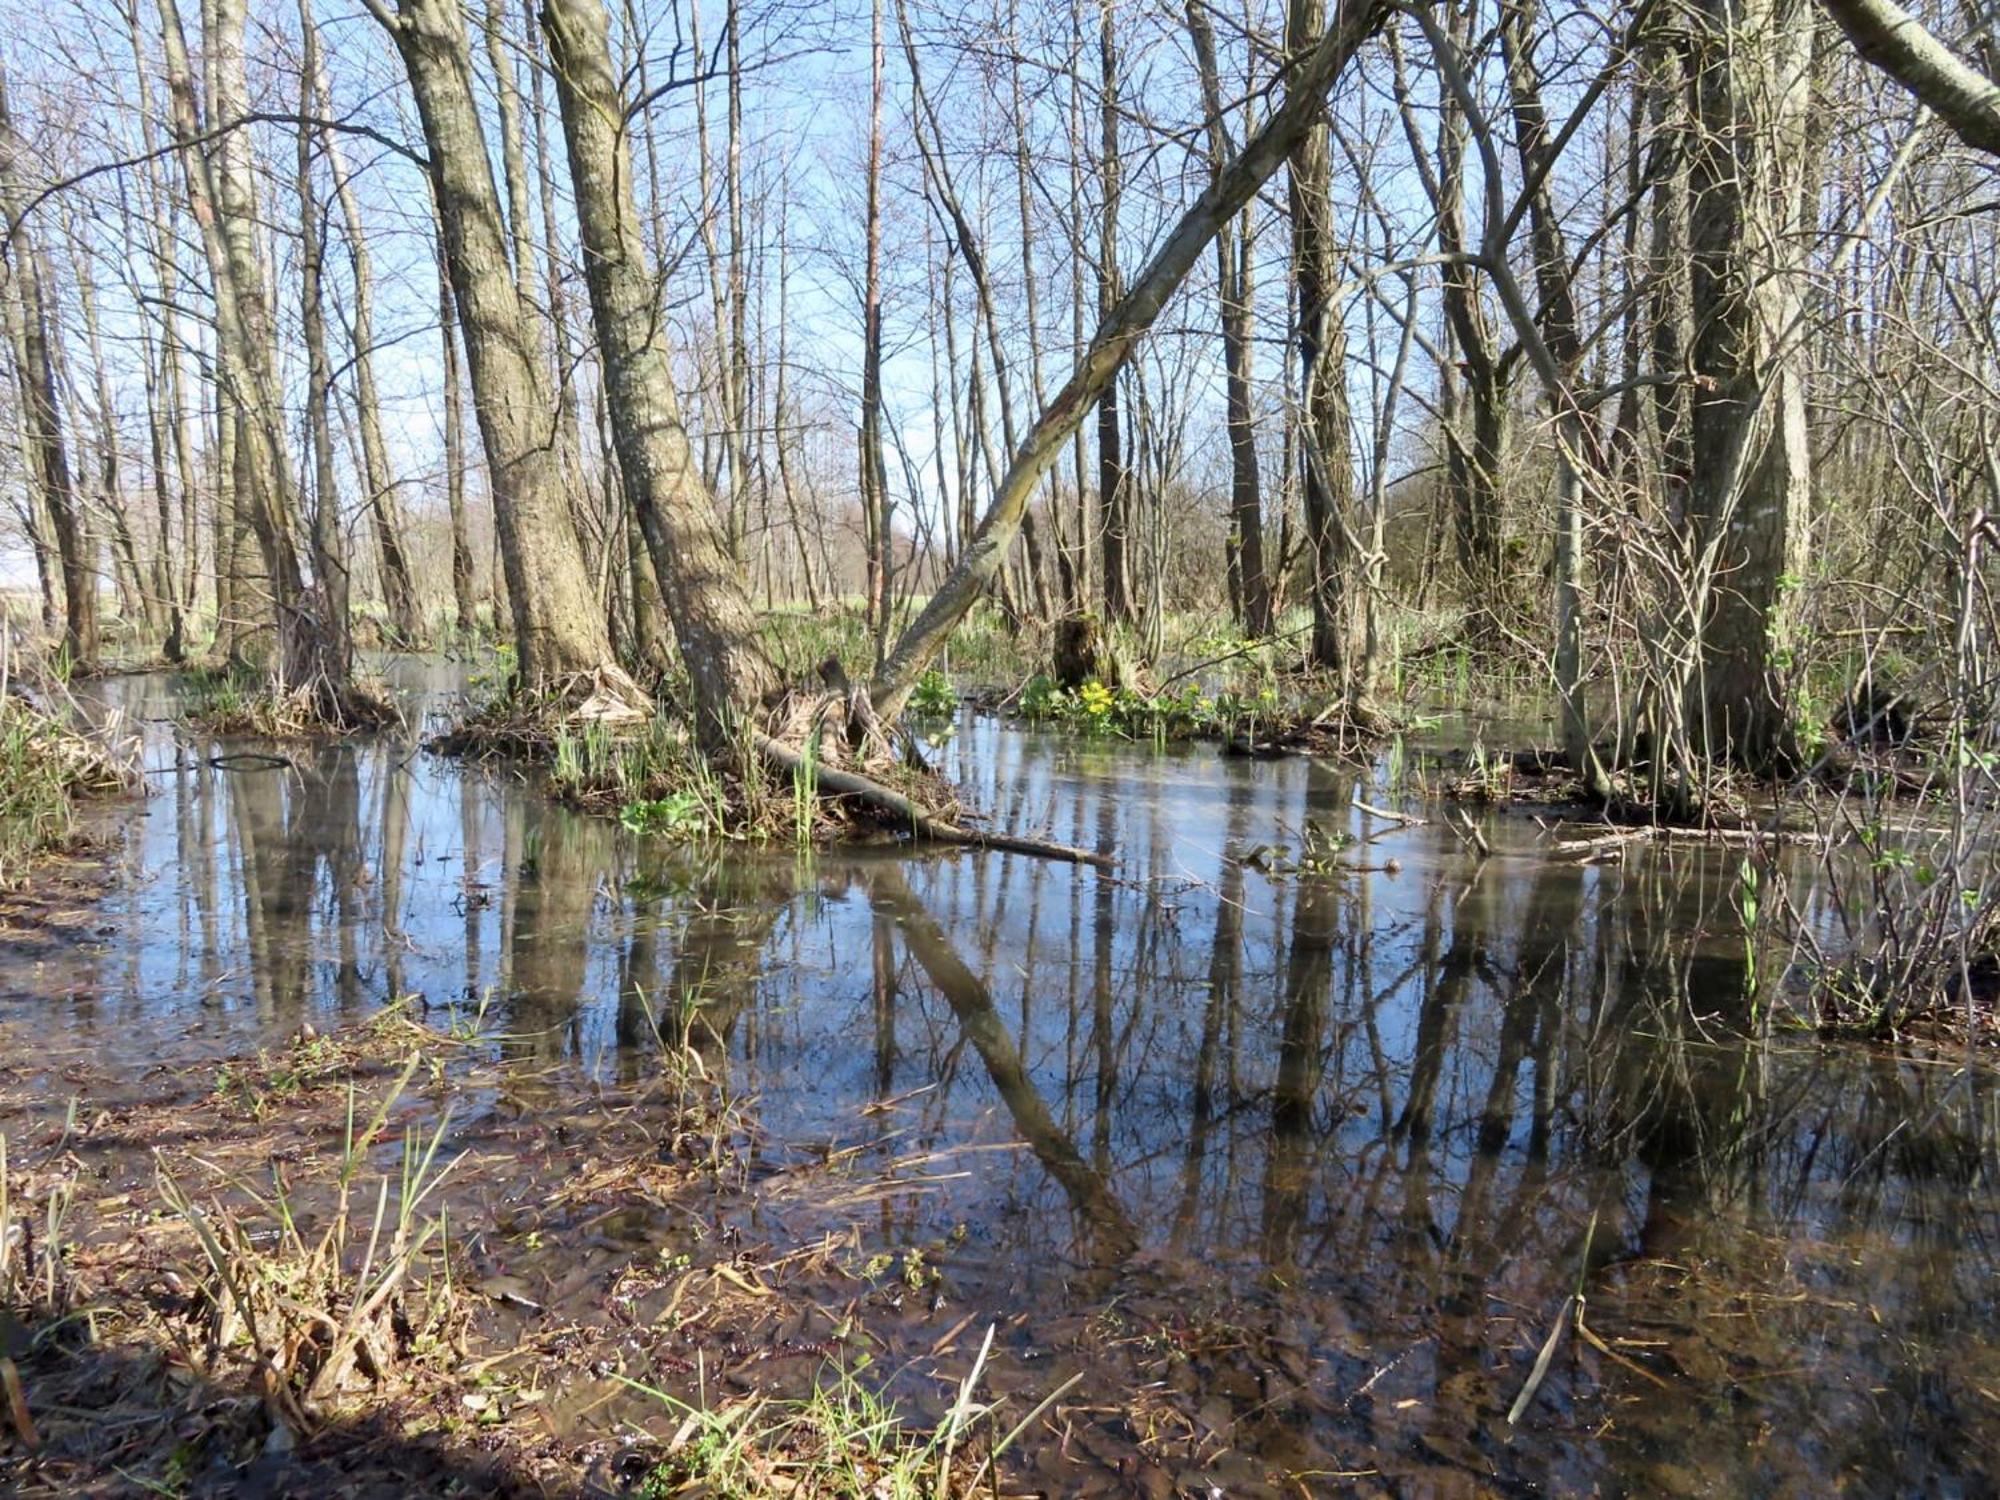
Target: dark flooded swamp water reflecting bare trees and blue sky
{"points": [[1299, 1169]]}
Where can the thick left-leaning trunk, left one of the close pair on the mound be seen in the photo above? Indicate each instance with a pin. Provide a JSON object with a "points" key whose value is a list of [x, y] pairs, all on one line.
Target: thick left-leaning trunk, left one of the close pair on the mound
{"points": [[559, 629]]}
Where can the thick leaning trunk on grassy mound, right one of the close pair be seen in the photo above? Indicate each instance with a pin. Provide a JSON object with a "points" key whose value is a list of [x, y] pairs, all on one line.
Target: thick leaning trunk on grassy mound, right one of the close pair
{"points": [[715, 621]]}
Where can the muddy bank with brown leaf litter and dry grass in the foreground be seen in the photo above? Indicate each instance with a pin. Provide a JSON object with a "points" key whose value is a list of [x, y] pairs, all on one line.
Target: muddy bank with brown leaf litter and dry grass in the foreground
{"points": [[255, 1279]]}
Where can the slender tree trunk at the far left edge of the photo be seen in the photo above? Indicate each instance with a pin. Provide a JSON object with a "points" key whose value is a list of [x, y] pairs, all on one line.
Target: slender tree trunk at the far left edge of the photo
{"points": [[41, 409]]}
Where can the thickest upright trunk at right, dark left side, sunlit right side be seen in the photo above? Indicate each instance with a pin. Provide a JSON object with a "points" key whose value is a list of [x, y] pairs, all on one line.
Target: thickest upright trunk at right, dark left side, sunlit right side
{"points": [[1753, 471]]}
